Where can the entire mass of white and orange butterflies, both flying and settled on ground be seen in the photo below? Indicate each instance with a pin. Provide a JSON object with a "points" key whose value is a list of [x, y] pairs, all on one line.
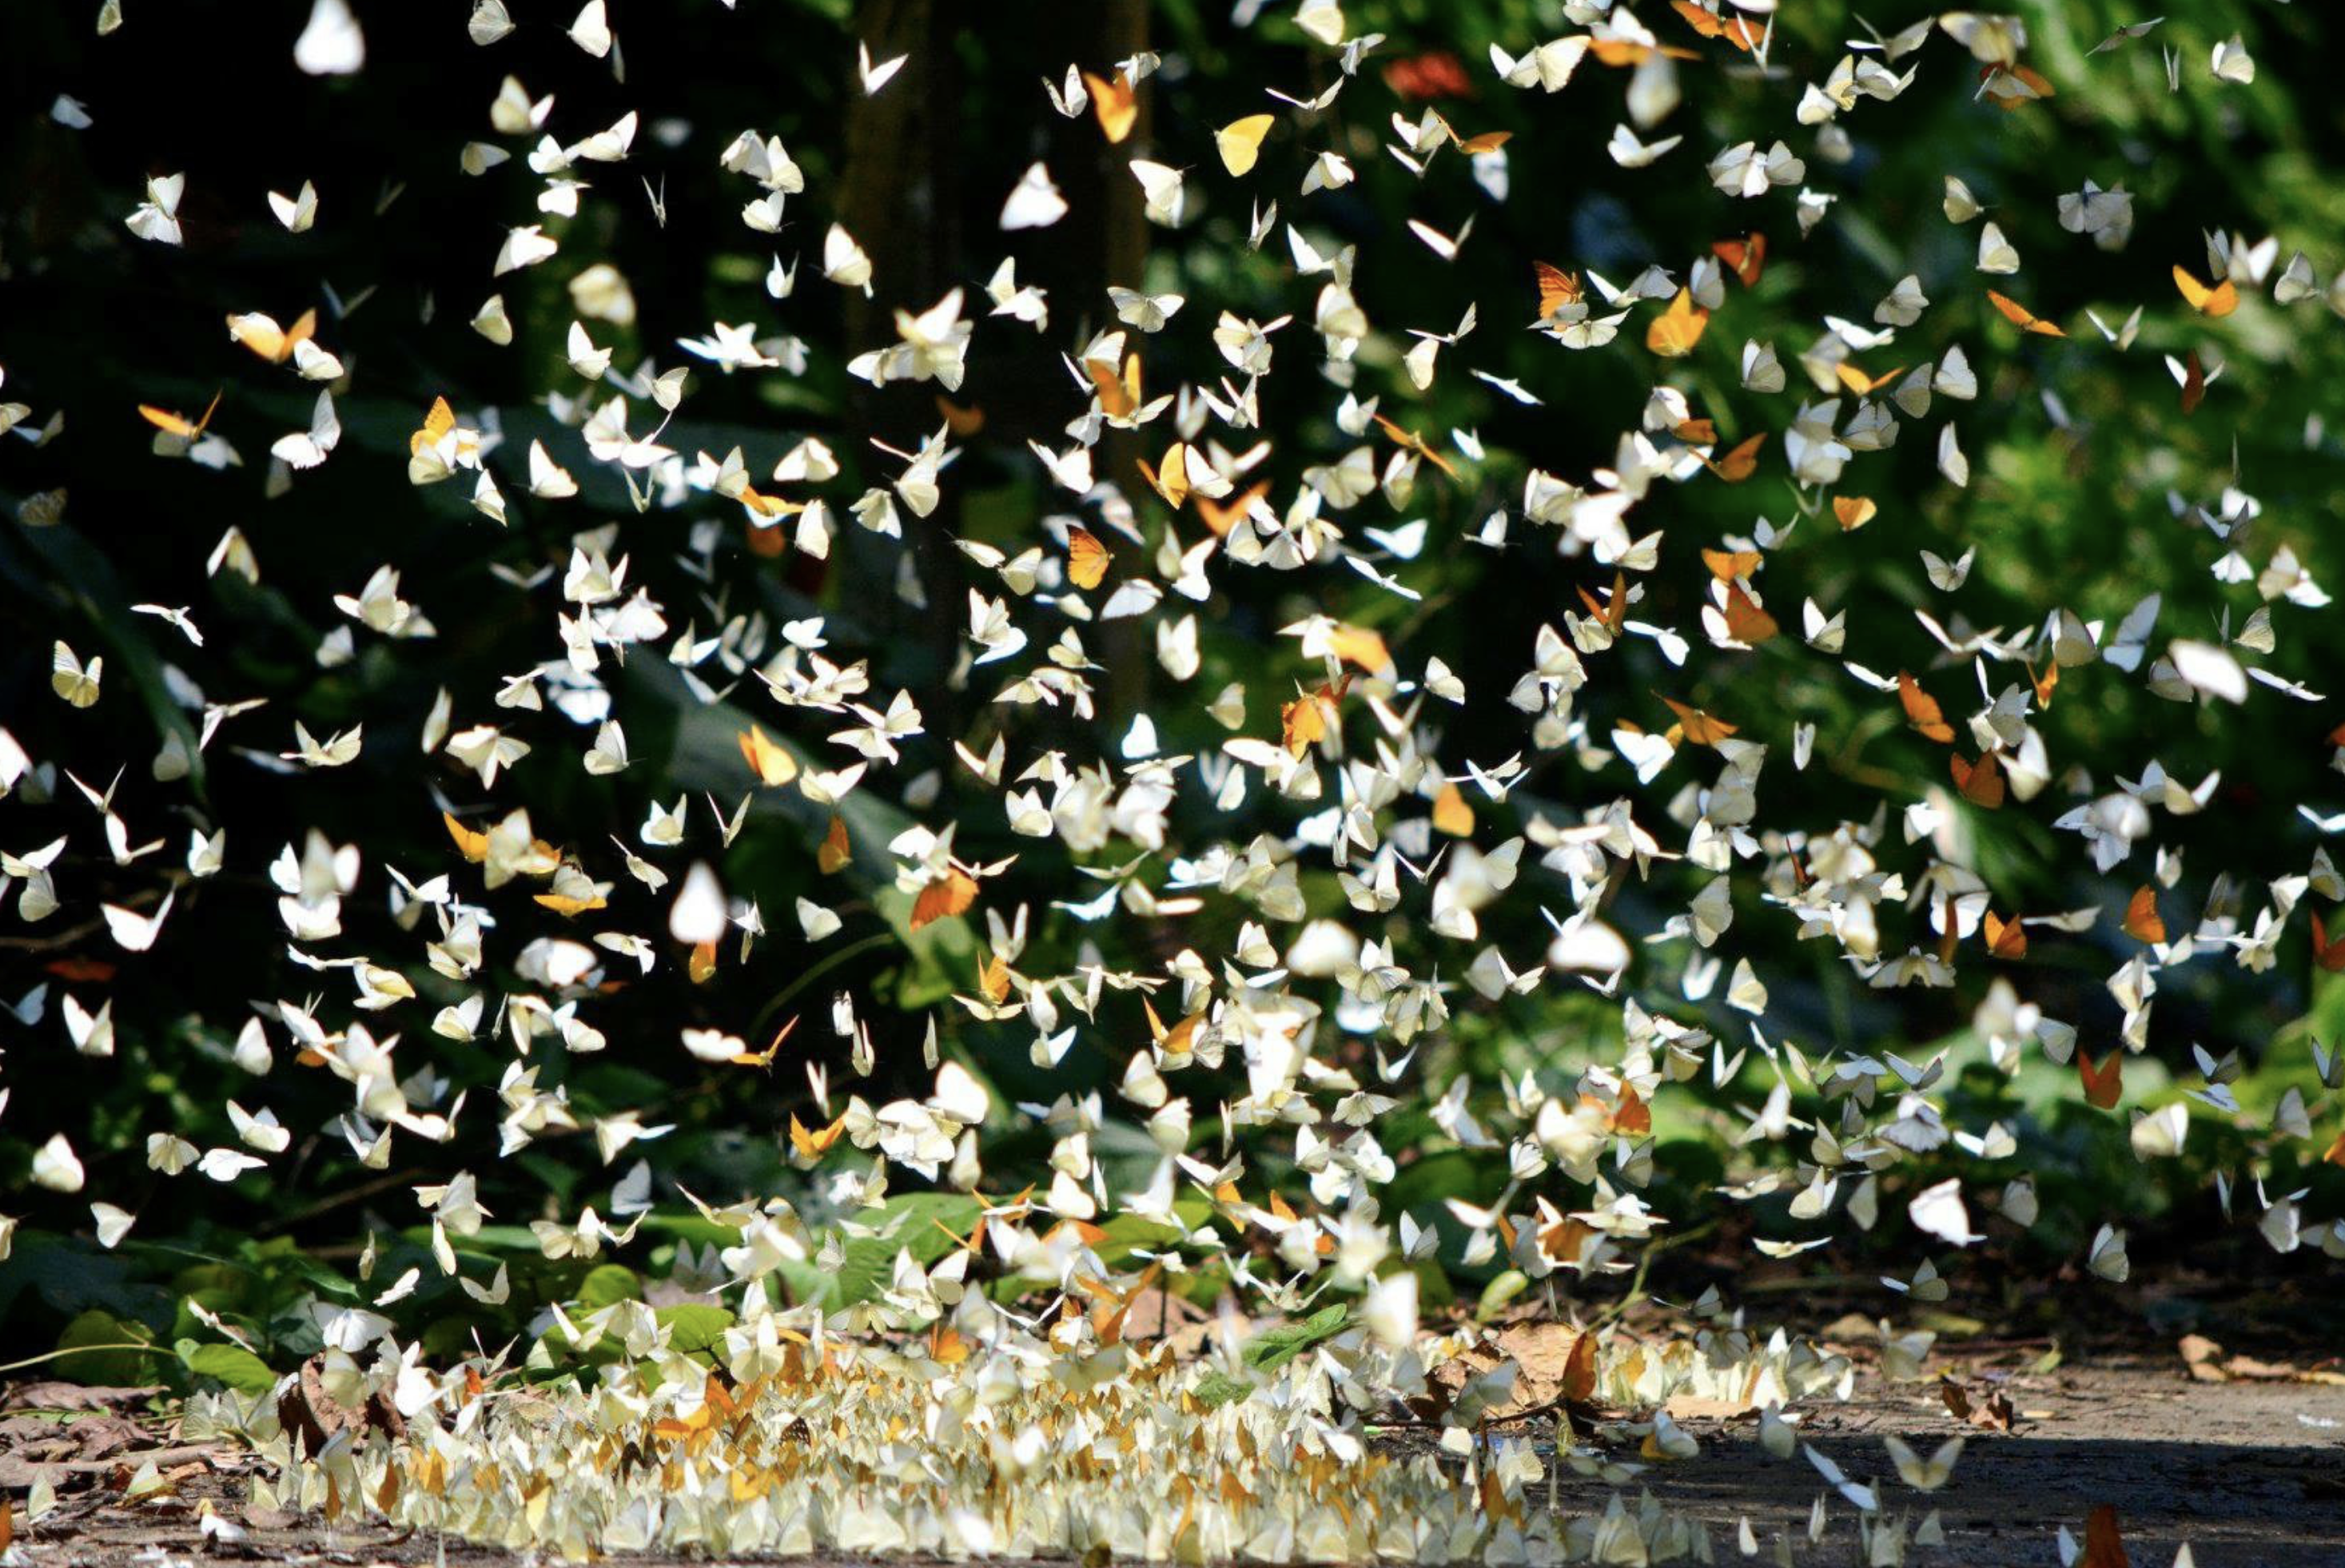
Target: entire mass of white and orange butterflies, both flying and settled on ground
{"points": [[852, 1379]]}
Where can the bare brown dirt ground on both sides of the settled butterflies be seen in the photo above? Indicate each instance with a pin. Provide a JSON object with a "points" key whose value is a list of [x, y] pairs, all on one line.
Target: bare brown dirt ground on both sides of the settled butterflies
{"points": [[2248, 1473]]}
